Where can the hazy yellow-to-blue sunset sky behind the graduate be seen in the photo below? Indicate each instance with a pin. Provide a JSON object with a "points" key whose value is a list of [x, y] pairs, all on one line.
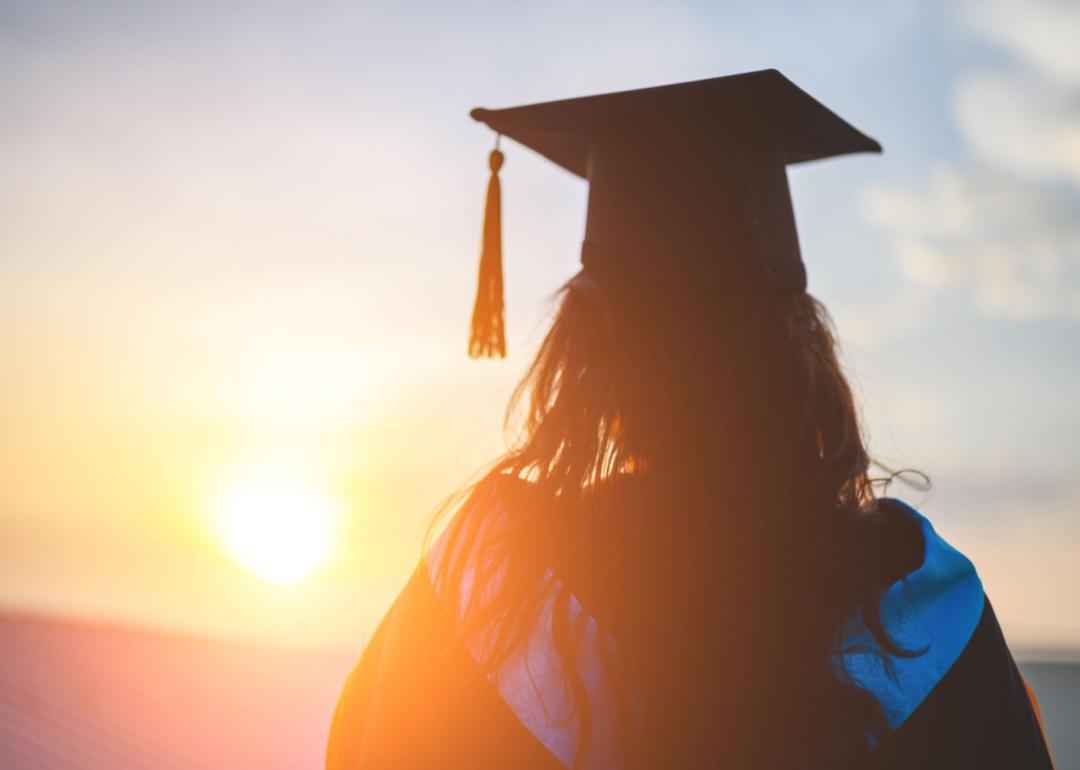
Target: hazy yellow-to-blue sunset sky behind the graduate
{"points": [[239, 244]]}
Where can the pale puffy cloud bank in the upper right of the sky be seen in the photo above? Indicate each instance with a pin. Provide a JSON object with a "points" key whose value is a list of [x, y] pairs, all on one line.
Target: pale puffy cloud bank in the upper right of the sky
{"points": [[1003, 227]]}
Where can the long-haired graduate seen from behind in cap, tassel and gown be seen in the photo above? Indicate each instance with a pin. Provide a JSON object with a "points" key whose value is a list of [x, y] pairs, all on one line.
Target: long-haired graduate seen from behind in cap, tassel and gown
{"points": [[684, 562]]}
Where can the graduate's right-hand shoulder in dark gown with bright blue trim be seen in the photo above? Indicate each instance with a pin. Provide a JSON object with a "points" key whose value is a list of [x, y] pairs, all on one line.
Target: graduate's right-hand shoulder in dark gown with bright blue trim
{"points": [[953, 695]]}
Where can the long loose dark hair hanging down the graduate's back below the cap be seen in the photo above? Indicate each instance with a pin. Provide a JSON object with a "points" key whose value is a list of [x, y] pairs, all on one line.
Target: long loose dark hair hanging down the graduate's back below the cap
{"points": [[731, 412]]}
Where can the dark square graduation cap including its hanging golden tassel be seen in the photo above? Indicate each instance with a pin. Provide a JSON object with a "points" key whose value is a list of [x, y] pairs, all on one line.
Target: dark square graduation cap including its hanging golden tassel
{"points": [[687, 183]]}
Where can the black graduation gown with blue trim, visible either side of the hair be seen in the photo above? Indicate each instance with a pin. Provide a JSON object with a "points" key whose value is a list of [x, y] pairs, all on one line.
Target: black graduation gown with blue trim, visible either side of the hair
{"points": [[418, 699]]}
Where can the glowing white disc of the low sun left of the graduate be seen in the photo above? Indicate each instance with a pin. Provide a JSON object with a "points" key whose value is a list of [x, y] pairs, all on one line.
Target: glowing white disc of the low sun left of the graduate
{"points": [[279, 530]]}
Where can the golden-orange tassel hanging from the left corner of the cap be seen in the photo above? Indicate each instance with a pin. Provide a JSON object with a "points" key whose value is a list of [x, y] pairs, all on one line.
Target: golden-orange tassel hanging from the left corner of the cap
{"points": [[488, 336]]}
